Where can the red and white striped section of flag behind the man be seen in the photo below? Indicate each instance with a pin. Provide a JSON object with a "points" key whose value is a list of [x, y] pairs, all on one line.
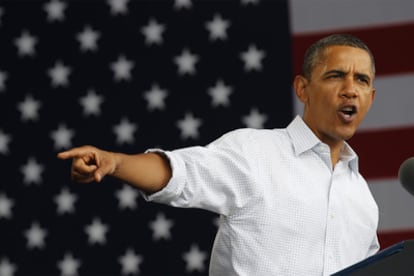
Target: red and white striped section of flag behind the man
{"points": [[385, 138]]}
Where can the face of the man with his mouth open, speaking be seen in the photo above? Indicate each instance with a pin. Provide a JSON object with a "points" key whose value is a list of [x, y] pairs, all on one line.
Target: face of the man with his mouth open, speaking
{"points": [[338, 94]]}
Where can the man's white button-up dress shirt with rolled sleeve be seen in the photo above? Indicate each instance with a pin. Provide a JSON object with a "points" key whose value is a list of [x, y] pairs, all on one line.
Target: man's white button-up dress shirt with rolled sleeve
{"points": [[284, 209]]}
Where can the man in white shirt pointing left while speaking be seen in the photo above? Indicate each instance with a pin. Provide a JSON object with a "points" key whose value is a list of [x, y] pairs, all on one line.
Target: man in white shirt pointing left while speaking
{"points": [[292, 201]]}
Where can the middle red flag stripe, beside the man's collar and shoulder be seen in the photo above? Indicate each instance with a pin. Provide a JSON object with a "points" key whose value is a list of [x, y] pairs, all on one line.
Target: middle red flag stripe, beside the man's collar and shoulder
{"points": [[381, 152]]}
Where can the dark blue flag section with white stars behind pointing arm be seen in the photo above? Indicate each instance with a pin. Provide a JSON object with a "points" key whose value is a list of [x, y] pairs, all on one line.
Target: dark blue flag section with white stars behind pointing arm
{"points": [[125, 76]]}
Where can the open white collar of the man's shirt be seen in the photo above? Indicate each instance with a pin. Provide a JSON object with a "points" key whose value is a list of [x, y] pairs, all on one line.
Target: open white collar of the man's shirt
{"points": [[303, 139]]}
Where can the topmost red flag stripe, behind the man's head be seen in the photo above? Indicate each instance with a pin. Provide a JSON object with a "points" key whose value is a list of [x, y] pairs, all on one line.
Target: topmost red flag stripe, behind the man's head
{"points": [[392, 46]]}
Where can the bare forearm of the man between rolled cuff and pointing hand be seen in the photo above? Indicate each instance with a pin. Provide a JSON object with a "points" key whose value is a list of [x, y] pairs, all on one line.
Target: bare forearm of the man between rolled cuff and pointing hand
{"points": [[149, 172]]}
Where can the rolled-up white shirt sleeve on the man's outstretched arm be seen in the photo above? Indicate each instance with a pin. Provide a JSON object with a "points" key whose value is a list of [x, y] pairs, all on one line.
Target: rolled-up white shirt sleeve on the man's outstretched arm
{"points": [[218, 177]]}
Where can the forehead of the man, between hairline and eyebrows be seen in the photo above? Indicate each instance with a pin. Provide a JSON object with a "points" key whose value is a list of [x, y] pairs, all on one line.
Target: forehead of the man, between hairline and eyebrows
{"points": [[345, 58]]}
